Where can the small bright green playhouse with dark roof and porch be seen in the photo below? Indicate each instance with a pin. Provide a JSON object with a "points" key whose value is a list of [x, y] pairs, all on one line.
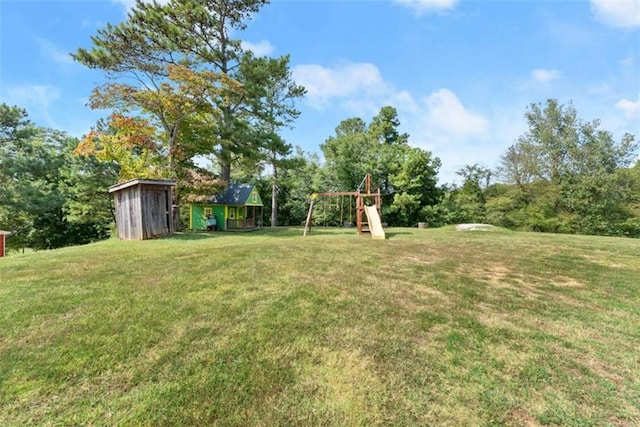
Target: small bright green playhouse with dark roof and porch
{"points": [[238, 208]]}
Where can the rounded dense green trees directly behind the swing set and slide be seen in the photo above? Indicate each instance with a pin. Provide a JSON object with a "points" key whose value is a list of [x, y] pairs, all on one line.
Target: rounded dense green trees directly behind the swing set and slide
{"points": [[406, 175]]}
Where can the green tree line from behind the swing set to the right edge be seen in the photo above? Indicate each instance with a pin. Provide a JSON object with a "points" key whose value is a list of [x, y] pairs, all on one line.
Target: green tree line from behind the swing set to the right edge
{"points": [[564, 175]]}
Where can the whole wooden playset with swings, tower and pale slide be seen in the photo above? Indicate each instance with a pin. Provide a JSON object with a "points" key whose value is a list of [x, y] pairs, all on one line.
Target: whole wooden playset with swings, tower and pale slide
{"points": [[368, 204]]}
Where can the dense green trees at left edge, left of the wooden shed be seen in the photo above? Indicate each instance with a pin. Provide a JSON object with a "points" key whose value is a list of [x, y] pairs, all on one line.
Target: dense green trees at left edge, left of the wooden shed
{"points": [[48, 198]]}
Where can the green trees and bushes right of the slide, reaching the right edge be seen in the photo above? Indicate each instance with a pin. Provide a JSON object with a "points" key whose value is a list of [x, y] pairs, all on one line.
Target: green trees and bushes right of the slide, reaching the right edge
{"points": [[563, 176]]}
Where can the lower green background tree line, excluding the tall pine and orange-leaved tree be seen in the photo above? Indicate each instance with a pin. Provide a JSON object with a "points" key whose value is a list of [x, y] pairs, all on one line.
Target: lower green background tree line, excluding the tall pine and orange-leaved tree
{"points": [[563, 175]]}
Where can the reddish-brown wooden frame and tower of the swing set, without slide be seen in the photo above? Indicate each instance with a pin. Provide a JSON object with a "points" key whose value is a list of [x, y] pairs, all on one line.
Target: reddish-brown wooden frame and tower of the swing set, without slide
{"points": [[364, 196]]}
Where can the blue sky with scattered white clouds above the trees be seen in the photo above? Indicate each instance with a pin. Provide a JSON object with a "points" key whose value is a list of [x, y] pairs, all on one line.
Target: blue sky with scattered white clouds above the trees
{"points": [[460, 73]]}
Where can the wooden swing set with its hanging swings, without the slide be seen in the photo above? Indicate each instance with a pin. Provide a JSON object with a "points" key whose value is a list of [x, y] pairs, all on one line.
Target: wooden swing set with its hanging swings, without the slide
{"points": [[364, 197]]}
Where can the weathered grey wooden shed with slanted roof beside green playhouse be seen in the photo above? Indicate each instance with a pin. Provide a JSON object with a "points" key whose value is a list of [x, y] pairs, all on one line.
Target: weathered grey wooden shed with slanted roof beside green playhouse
{"points": [[143, 208]]}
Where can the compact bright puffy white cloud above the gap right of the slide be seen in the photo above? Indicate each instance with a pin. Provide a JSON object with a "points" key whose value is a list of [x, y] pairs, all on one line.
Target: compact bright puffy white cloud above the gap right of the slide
{"points": [[445, 113]]}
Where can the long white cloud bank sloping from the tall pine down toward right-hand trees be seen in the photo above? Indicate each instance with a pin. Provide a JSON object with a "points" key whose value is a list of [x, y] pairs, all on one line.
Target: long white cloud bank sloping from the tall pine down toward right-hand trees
{"points": [[438, 121]]}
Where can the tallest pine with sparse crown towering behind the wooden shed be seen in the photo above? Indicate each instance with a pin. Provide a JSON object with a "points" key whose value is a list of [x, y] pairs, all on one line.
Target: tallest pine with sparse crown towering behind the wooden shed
{"points": [[193, 37]]}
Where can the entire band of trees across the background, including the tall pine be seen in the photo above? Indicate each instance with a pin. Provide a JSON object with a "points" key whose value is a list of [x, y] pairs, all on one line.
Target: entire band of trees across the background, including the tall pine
{"points": [[180, 87]]}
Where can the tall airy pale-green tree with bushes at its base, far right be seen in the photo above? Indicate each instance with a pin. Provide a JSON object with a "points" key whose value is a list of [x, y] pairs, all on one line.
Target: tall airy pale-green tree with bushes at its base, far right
{"points": [[569, 173]]}
